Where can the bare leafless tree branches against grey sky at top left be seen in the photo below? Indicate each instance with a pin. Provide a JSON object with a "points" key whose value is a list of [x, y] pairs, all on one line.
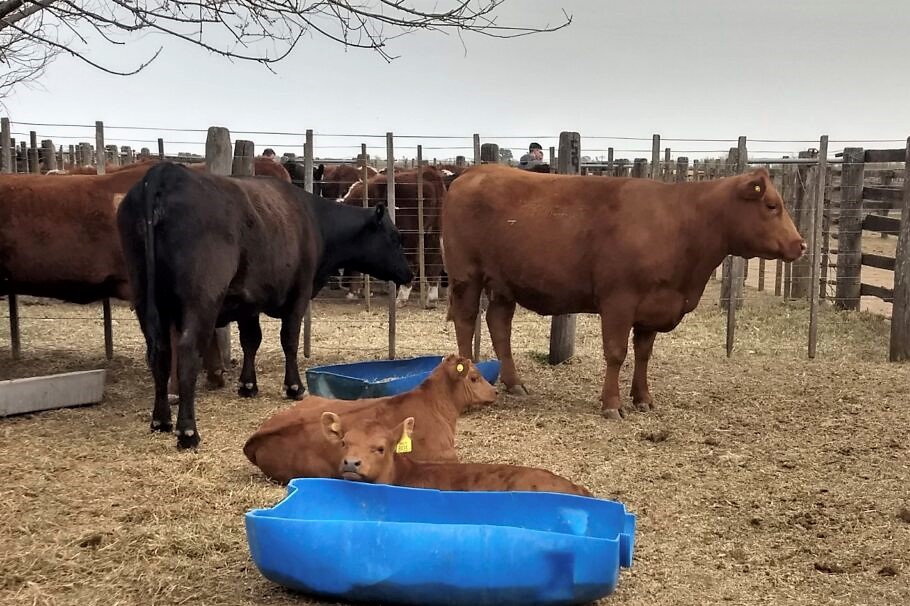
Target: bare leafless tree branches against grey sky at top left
{"points": [[262, 31]]}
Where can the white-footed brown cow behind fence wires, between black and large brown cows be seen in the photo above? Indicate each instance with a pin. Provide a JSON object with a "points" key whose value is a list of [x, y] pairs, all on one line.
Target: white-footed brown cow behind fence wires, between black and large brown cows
{"points": [[406, 218]]}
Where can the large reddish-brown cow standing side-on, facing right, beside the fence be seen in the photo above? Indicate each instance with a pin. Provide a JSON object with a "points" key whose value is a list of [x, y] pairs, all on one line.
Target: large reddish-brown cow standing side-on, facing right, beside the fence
{"points": [[636, 251]]}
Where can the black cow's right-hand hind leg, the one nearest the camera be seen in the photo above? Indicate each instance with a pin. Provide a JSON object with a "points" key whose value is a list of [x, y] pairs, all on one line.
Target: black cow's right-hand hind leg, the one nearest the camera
{"points": [[193, 333]]}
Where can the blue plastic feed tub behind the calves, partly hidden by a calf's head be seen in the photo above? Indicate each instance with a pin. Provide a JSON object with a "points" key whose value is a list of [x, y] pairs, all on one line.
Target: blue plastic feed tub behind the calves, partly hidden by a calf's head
{"points": [[378, 378]]}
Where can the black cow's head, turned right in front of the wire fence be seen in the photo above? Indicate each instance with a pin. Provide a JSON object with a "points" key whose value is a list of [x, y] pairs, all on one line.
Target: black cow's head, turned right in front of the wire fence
{"points": [[377, 249]]}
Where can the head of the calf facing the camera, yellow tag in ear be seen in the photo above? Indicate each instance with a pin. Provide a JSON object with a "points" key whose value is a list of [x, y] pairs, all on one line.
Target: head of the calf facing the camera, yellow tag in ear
{"points": [[367, 448]]}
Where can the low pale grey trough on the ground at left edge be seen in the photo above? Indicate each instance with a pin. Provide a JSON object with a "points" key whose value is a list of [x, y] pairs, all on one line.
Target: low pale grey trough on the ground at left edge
{"points": [[33, 394]]}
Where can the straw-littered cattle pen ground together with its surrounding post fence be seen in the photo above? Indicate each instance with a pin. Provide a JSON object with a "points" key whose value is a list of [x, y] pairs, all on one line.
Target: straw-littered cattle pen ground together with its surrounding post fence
{"points": [[771, 471]]}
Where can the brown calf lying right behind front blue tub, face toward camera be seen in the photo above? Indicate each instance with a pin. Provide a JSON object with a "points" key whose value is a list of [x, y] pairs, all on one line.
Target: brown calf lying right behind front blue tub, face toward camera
{"points": [[372, 453]]}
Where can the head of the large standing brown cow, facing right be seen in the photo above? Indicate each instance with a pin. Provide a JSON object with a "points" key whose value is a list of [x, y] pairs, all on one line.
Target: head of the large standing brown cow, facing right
{"points": [[760, 226]]}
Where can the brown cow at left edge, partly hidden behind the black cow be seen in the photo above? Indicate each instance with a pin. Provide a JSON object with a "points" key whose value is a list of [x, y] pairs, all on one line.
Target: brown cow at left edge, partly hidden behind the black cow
{"points": [[58, 239]]}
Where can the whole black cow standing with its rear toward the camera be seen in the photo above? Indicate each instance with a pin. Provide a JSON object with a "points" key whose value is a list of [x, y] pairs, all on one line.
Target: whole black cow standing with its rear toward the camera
{"points": [[203, 251]]}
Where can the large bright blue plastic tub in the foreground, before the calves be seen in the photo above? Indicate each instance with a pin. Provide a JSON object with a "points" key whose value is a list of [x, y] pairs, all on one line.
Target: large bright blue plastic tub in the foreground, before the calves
{"points": [[364, 542]]}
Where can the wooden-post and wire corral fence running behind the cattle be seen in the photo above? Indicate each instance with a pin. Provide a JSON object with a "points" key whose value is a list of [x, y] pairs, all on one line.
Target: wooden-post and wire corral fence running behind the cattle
{"points": [[832, 198]]}
